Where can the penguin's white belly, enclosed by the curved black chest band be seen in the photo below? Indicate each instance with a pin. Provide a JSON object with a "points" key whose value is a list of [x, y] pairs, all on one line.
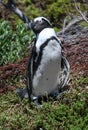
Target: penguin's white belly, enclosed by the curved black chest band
{"points": [[46, 77]]}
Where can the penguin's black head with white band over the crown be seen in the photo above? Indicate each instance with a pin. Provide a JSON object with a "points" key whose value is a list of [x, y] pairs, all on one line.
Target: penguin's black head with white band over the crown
{"points": [[39, 24]]}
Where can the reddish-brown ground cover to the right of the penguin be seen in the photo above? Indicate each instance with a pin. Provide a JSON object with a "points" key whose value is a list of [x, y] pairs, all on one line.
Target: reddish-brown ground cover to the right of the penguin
{"points": [[77, 55]]}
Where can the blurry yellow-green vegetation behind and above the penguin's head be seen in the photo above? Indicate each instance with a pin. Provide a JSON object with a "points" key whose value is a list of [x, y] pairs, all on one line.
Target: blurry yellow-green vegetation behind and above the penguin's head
{"points": [[55, 10]]}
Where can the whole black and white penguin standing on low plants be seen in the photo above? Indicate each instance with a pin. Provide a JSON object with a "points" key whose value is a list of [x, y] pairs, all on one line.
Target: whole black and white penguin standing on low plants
{"points": [[45, 62]]}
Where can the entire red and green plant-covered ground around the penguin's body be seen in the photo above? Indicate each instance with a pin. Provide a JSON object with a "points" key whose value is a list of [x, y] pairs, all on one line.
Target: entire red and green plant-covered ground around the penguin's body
{"points": [[67, 112]]}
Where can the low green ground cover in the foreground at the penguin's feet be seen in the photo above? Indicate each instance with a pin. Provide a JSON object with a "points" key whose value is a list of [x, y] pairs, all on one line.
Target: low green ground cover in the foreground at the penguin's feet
{"points": [[67, 112]]}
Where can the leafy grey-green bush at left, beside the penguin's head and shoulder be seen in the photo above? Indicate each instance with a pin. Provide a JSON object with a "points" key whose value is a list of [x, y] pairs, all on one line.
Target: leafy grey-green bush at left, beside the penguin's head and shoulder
{"points": [[13, 44]]}
